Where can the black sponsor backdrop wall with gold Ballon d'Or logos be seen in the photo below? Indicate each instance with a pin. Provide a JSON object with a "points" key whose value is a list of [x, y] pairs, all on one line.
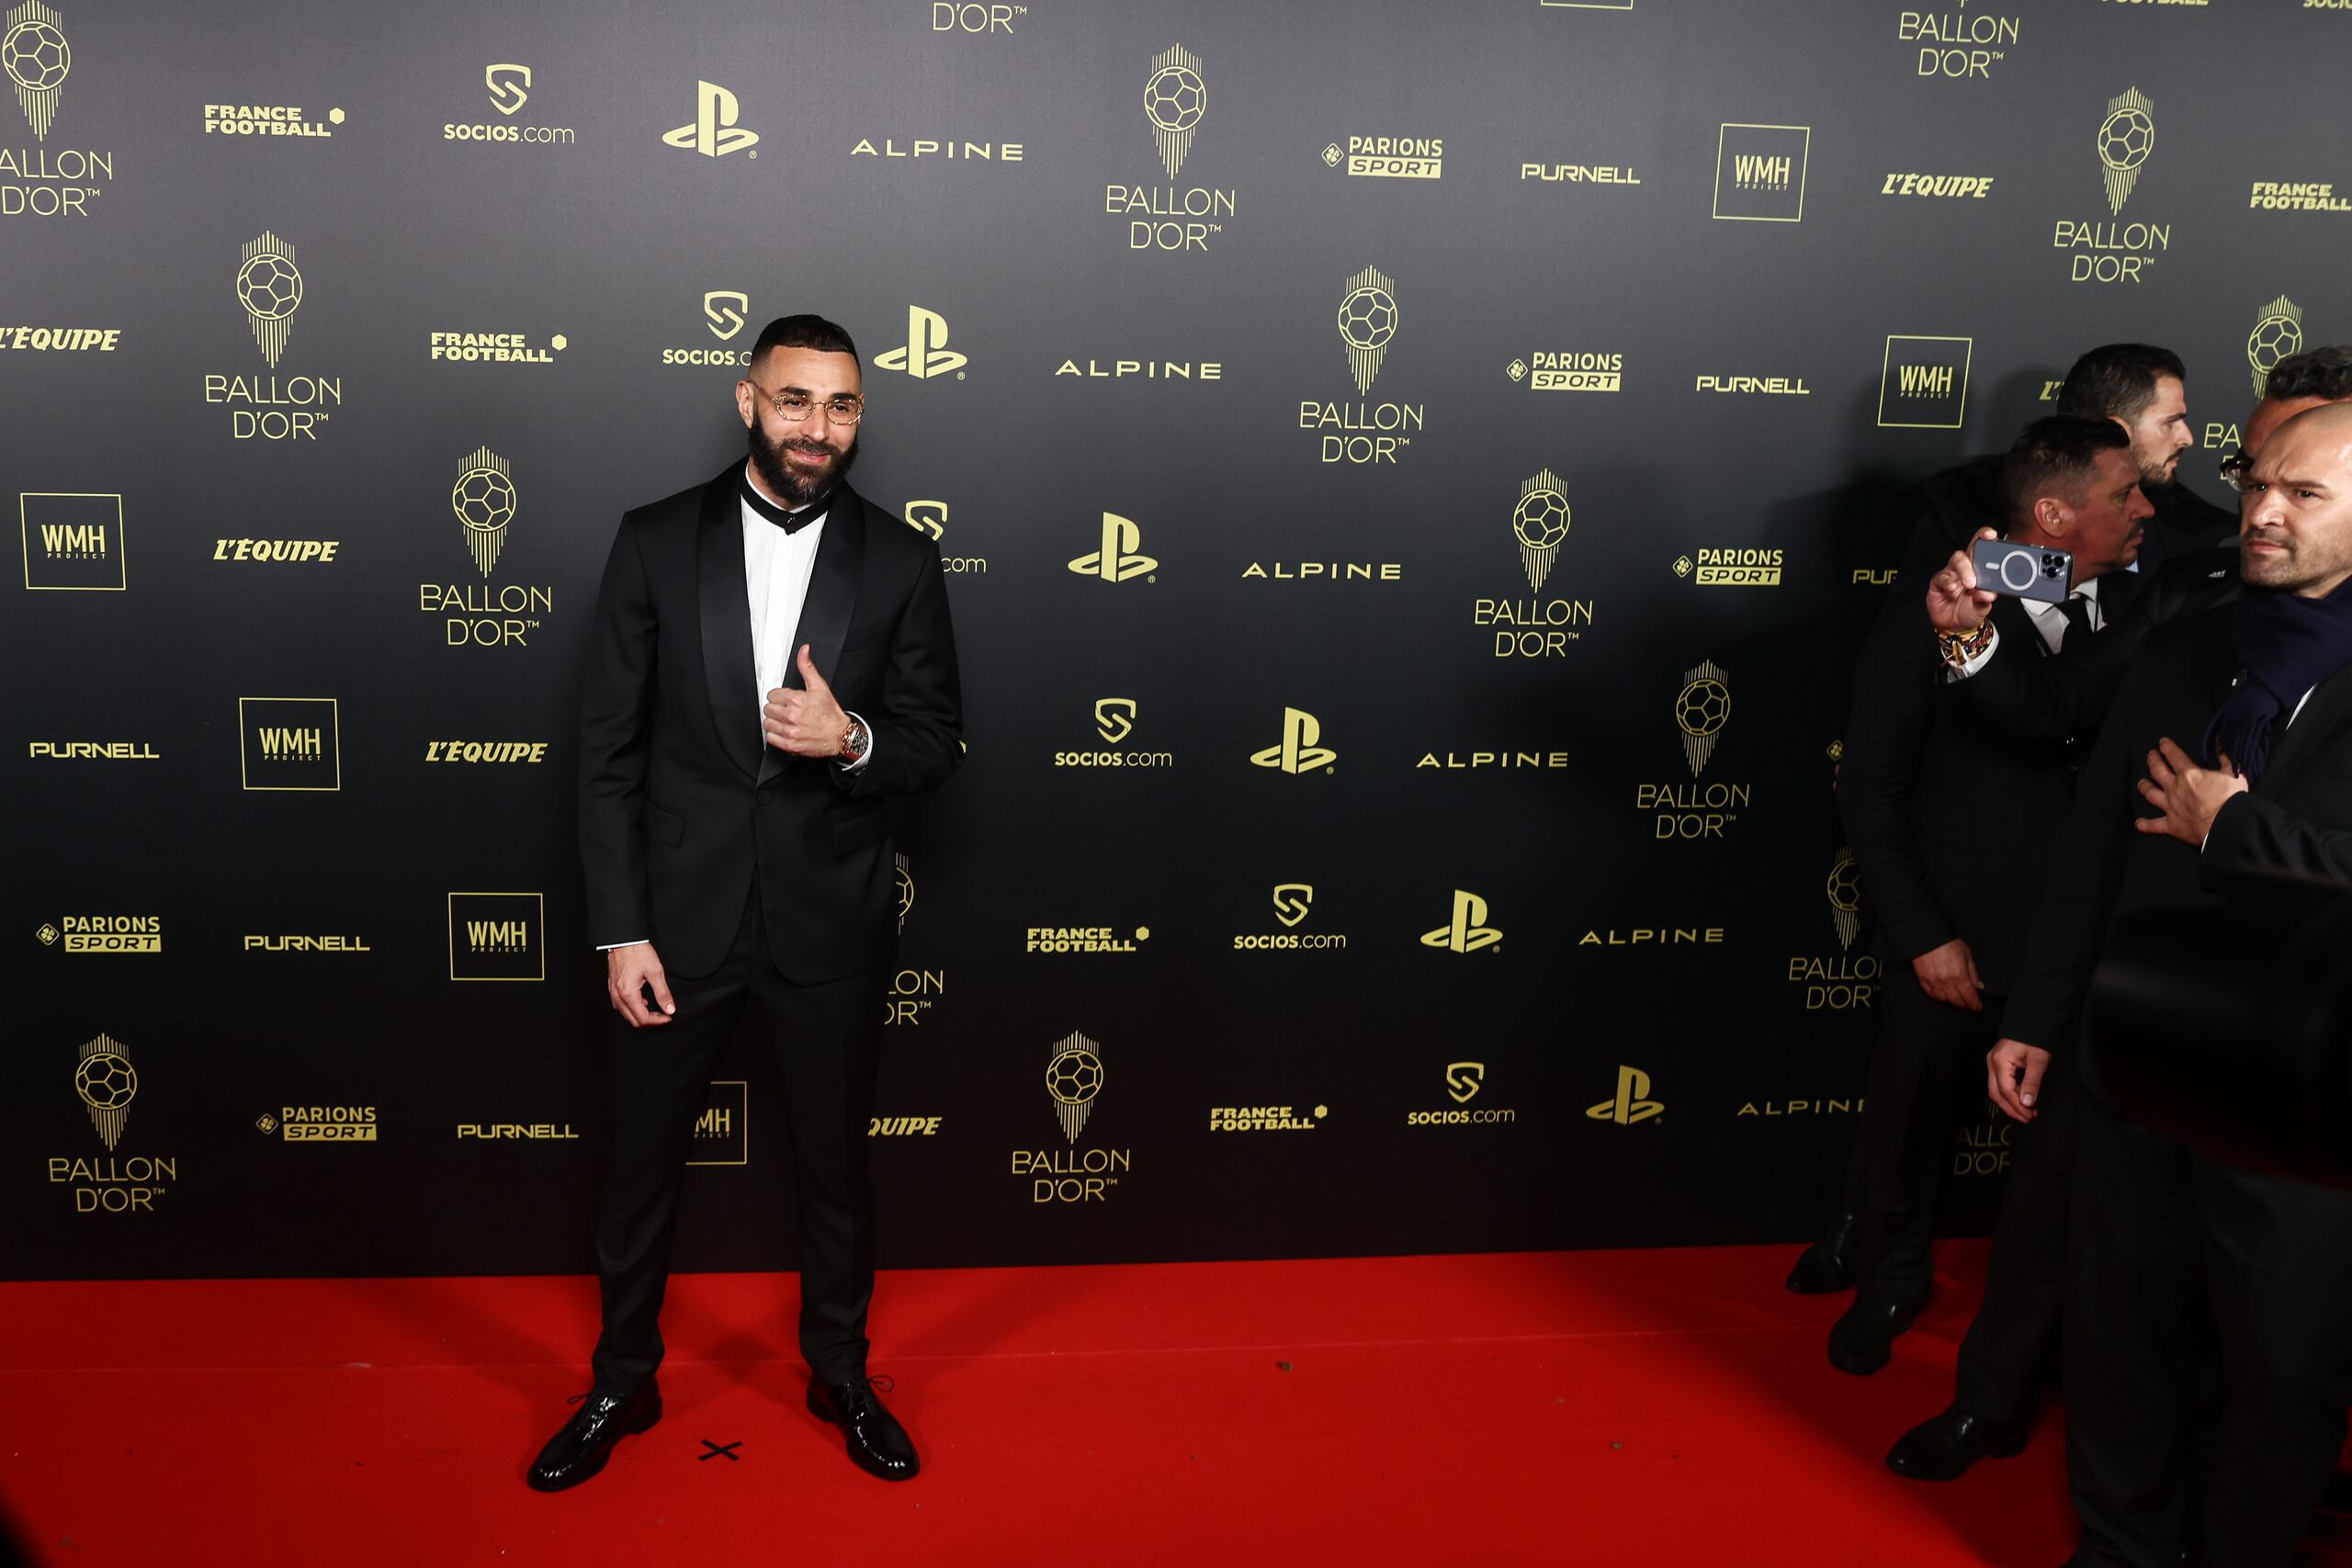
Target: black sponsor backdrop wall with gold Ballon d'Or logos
{"points": [[1412, 481]]}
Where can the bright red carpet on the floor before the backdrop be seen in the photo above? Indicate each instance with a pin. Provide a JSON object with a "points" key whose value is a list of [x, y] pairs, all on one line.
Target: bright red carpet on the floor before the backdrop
{"points": [[1659, 1407]]}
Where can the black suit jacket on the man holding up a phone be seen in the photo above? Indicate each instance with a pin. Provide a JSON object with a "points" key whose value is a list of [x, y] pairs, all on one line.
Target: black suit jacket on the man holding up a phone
{"points": [[1937, 796]]}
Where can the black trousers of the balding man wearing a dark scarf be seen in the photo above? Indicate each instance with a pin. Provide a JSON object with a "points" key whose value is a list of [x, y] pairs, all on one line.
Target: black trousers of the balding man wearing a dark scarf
{"points": [[2172, 1254]]}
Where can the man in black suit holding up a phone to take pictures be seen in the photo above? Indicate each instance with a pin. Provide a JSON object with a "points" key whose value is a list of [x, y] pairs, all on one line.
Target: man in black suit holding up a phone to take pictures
{"points": [[1916, 786]]}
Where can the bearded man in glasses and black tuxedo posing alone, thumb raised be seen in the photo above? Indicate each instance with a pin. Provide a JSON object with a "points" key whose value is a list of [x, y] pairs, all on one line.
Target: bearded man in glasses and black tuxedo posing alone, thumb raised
{"points": [[770, 662]]}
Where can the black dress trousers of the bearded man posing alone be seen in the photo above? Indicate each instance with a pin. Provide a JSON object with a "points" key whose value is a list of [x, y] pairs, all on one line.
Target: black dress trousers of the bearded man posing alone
{"points": [[827, 1043]]}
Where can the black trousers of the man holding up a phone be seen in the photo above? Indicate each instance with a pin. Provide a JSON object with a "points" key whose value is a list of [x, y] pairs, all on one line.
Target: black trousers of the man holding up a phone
{"points": [[1920, 1071]]}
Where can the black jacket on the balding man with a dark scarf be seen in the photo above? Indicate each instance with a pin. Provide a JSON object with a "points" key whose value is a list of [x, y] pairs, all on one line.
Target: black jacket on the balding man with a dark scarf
{"points": [[2297, 819]]}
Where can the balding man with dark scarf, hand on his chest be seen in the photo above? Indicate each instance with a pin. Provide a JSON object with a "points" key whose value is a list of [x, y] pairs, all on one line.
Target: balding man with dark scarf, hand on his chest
{"points": [[2174, 1249]]}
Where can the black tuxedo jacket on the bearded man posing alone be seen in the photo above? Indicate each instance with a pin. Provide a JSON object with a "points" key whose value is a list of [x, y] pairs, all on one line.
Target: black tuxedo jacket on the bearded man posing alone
{"points": [[674, 822]]}
